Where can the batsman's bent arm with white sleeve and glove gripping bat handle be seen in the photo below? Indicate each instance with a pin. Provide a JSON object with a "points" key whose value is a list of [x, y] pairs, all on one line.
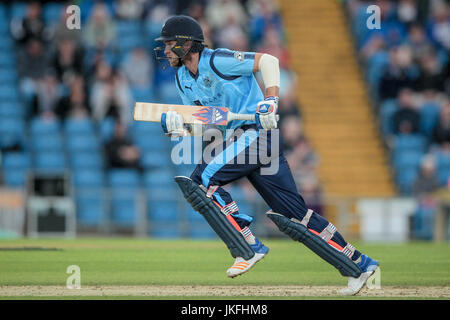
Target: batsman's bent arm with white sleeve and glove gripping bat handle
{"points": [[266, 110]]}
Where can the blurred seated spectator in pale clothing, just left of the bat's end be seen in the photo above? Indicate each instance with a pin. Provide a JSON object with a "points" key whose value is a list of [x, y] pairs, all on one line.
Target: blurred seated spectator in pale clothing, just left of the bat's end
{"points": [[110, 95]]}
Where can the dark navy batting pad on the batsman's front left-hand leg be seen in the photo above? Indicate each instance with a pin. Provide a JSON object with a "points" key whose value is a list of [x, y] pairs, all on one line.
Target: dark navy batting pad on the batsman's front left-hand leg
{"points": [[216, 219]]}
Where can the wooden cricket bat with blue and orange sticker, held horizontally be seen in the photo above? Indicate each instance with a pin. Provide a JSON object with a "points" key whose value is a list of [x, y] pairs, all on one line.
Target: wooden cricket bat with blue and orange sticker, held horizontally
{"points": [[144, 111]]}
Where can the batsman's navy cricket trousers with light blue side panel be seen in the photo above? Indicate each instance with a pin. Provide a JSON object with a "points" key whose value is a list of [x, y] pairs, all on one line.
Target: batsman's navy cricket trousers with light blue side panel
{"points": [[252, 154]]}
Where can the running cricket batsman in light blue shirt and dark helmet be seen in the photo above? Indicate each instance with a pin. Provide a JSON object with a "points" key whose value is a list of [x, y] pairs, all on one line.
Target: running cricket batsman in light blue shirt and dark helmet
{"points": [[223, 77]]}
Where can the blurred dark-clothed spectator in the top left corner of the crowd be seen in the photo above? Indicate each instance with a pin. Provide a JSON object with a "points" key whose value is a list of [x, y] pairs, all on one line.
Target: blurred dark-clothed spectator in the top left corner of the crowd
{"points": [[31, 26]]}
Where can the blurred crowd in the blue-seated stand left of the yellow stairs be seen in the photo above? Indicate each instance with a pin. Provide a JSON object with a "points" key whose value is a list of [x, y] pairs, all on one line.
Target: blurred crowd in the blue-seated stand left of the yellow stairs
{"points": [[85, 73]]}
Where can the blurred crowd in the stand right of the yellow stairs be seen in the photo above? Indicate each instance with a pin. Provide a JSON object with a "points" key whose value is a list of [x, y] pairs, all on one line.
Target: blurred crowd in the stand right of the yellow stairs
{"points": [[407, 63]]}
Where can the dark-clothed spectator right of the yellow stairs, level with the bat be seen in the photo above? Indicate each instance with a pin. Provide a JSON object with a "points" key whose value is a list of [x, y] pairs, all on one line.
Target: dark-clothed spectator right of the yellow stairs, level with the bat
{"points": [[406, 119]]}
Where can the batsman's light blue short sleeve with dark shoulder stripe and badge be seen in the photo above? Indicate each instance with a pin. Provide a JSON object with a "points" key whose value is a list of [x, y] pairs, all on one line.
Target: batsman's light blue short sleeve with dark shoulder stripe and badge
{"points": [[229, 64]]}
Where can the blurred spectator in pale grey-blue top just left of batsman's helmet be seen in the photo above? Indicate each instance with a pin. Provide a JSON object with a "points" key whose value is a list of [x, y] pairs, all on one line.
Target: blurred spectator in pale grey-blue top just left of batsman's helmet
{"points": [[138, 68]]}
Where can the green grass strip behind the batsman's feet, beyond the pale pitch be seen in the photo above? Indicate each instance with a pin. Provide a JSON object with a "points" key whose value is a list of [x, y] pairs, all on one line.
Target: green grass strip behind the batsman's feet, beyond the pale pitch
{"points": [[129, 261]]}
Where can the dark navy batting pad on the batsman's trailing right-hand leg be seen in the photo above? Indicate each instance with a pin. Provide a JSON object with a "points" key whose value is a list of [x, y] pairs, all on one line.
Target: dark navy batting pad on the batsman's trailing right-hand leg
{"points": [[299, 232]]}
